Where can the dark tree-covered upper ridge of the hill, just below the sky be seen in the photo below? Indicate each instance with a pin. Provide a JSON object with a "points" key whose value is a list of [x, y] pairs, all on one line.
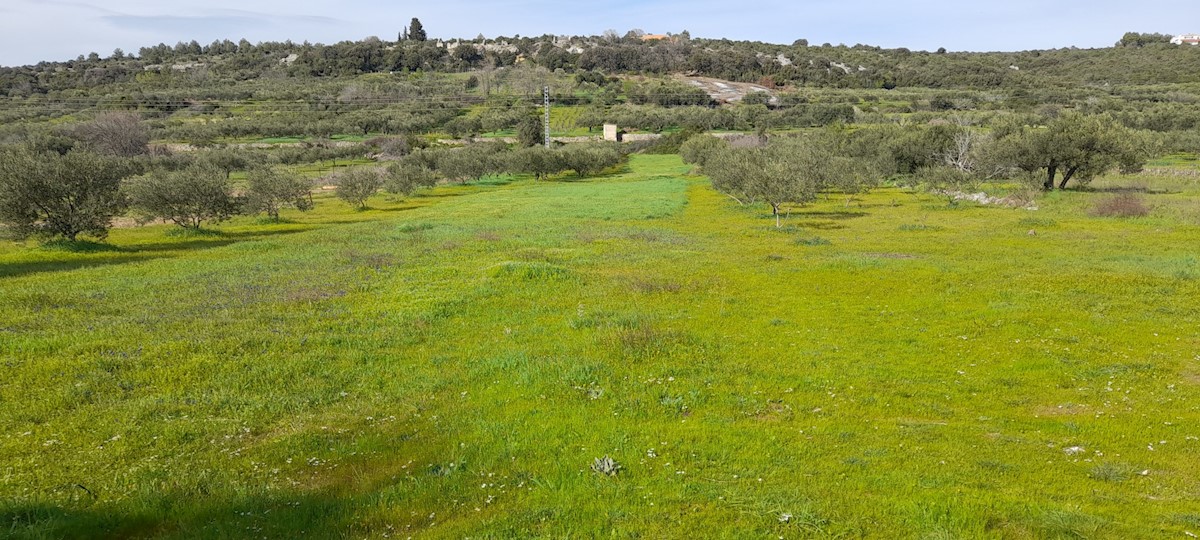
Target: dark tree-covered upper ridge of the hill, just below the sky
{"points": [[1137, 59]]}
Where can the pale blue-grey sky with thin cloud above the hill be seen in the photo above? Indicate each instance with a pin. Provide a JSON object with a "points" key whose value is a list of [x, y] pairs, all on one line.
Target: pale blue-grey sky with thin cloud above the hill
{"points": [[34, 31]]}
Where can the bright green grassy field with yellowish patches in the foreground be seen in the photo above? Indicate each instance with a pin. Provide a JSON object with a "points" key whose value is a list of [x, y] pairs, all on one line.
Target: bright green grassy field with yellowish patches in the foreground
{"points": [[452, 365]]}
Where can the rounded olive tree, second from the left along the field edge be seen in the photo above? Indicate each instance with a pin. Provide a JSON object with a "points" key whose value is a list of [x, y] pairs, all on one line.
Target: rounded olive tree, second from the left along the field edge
{"points": [[189, 197]]}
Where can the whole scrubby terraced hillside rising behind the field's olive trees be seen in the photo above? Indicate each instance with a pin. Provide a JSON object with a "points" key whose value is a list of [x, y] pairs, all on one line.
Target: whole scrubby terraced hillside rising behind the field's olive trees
{"points": [[244, 93]]}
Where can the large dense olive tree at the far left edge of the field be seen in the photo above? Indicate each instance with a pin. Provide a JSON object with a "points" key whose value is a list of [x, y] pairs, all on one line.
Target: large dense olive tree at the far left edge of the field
{"points": [[53, 195]]}
